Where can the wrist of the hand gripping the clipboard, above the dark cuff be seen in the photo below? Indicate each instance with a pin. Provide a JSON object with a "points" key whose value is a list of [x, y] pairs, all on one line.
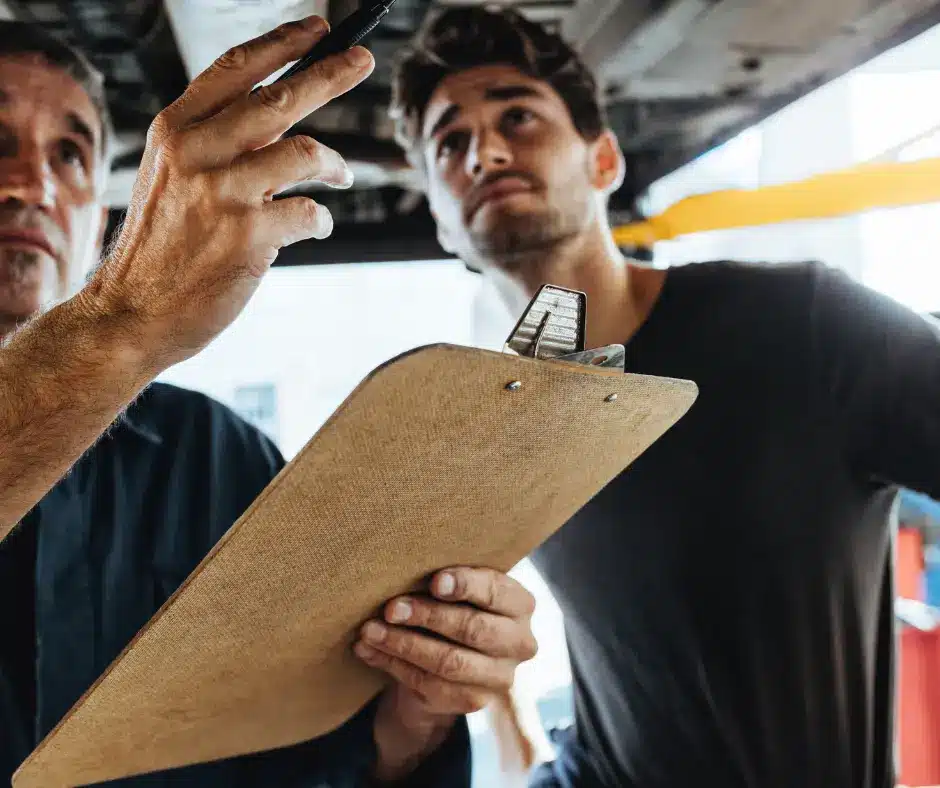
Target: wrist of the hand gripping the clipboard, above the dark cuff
{"points": [[402, 745]]}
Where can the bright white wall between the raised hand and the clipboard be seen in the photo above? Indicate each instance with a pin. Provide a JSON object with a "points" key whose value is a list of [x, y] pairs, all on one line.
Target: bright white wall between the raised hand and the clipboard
{"points": [[317, 332]]}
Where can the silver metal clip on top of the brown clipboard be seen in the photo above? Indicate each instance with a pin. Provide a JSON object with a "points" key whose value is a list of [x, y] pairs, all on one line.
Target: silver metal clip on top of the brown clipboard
{"points": [[552, 328]]}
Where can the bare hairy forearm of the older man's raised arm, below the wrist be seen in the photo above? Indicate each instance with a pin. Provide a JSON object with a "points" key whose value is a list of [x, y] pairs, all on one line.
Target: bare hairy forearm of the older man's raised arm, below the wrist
{"points": [[63, 379]]}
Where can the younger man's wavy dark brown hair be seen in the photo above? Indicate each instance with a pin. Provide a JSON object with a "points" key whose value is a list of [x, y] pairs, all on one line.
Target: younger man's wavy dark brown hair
{"points": [[463, 37]]}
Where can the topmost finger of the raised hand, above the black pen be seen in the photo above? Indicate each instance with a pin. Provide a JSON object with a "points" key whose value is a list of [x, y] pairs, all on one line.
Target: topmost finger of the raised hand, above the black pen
{"points": [[238, 70]]}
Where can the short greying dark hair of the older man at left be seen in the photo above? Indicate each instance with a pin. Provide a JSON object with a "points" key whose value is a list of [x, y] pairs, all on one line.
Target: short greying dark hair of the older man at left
{"points": [[25, 38]]}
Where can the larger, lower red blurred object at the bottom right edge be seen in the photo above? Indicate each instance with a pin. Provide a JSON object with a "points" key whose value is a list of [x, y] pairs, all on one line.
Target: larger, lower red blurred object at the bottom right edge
{"points": [[919, 707]]}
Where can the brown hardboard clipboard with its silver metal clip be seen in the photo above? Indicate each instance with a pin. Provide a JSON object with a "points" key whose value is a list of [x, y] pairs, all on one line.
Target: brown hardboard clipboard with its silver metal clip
{"points": [[443, 456]]}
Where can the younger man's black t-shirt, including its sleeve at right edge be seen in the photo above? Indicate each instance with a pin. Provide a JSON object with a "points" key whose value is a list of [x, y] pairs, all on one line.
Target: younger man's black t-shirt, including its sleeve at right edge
{"points": [[728, 598]]}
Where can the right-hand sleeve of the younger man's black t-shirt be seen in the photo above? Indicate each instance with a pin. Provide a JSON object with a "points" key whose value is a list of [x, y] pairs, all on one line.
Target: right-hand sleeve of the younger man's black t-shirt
{"points": [[879, 365]]}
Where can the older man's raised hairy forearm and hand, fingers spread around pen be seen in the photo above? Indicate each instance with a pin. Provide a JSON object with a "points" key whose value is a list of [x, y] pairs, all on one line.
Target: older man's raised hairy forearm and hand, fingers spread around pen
{"points": [[199, 235]]}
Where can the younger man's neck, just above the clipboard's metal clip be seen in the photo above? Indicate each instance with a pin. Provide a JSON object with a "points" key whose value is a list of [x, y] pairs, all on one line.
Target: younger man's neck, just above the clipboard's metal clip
{"points": [[620, 294]]}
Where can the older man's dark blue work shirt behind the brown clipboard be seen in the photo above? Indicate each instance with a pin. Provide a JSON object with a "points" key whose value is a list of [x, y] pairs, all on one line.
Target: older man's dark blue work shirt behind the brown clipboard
{"points": [[108, 545]]}
